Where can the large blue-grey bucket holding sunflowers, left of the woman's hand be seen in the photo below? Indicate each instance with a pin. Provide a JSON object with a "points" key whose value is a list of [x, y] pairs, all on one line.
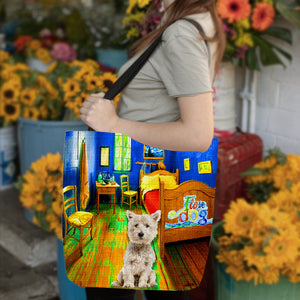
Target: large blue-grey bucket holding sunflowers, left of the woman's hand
{"points": [[37, 138]]}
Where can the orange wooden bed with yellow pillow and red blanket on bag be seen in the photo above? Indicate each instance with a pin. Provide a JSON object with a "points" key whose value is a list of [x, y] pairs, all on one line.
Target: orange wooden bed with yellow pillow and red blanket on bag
{"points": [[186, 209]]}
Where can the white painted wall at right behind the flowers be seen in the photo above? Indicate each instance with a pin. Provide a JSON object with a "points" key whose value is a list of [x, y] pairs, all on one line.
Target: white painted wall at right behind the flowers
{"points": [[278, 101]]}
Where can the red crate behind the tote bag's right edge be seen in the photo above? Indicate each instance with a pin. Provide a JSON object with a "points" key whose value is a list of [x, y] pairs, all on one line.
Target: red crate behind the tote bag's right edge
{"points": [[235, 156]]}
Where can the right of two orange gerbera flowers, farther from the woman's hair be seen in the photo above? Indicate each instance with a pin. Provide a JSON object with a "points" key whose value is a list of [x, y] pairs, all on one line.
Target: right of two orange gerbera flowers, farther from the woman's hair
{"points": [[263, 16]]}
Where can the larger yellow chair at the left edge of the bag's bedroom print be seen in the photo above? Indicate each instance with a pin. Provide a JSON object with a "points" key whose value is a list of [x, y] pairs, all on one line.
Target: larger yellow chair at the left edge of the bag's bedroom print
{"points": [[77, 219]]}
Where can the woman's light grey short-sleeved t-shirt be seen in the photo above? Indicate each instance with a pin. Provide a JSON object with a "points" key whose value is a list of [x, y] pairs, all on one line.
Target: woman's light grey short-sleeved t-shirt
{"points": [[180, 66]]}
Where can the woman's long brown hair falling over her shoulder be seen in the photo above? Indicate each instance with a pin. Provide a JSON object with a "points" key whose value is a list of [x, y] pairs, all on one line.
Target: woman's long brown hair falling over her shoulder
{"points": [[180, 9]]}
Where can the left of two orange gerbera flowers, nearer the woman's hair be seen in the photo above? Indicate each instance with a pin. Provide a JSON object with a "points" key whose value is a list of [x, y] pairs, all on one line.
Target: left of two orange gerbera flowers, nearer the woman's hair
{"points": [[234, 10]]}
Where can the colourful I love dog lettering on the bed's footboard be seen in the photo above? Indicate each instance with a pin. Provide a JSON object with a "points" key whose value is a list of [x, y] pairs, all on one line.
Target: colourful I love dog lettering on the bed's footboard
{"points": [[193, 211]]}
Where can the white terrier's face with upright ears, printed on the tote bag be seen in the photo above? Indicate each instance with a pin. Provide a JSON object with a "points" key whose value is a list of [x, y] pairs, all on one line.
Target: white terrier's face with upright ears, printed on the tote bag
{"points": [[142, 229]]}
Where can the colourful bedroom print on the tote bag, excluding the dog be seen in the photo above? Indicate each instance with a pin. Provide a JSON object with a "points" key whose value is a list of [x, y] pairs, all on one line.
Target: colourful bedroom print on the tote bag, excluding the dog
{"points": [[108, 175]]}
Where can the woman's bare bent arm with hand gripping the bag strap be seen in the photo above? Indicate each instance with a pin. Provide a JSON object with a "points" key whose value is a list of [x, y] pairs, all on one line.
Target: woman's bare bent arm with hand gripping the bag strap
{"points": [[194, 132]]}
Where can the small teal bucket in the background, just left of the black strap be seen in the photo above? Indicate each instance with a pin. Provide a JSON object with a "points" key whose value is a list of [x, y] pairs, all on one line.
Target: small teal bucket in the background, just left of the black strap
{"points": [[112, 57]]}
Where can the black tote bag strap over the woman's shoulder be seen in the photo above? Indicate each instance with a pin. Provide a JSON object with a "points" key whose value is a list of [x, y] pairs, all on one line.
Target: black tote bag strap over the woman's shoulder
{"points": [[130, 73]]}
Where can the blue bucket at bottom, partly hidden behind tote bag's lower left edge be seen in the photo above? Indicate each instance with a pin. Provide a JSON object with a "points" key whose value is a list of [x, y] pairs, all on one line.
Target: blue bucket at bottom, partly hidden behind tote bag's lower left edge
{"points": [[67, 289]]}
